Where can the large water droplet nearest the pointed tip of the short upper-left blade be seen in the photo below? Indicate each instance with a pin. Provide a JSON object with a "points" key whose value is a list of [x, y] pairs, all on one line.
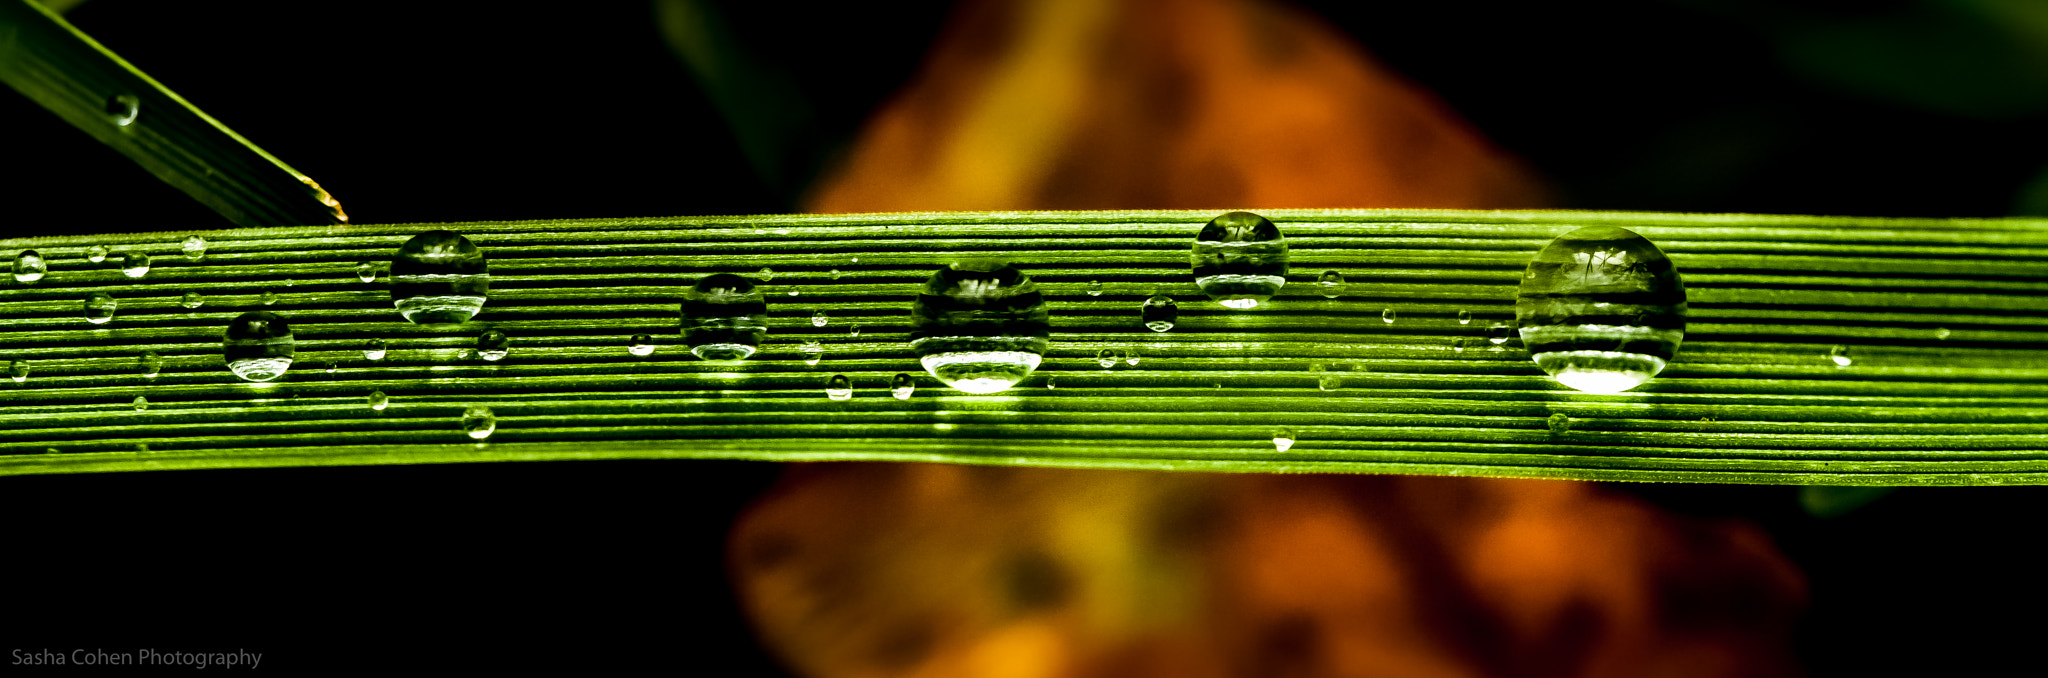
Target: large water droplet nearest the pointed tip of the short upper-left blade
{"points": [[439, 278]]}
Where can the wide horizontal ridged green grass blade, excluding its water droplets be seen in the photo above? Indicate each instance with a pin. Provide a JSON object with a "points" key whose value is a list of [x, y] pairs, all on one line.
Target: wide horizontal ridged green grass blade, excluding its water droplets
{"points": [[1945, 319]]}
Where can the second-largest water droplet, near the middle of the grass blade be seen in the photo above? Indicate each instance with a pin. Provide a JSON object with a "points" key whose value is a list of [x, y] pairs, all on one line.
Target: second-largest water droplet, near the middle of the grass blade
{"points": [[980, 327]]}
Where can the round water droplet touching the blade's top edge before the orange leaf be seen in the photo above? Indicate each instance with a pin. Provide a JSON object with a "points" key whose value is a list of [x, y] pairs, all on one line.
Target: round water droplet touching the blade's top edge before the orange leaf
{"points": [[1240, 259]]}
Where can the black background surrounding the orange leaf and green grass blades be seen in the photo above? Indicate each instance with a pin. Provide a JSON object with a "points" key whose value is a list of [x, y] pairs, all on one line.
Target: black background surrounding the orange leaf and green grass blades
{"points": [[470, 112]]}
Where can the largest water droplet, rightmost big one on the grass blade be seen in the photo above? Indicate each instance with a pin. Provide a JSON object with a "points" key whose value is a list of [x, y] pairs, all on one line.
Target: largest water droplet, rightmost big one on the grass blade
{"points": [[1603, 310]]}
